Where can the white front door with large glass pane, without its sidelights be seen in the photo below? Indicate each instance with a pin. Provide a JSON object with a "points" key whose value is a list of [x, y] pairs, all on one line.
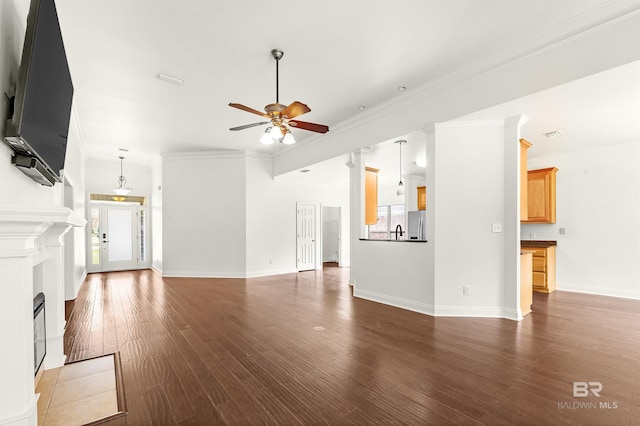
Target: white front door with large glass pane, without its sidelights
{"points": [[118, 235]]}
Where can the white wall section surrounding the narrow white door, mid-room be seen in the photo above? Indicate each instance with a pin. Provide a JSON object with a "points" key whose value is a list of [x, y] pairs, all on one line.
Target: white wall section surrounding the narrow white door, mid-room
{"points": [[271, 218]]}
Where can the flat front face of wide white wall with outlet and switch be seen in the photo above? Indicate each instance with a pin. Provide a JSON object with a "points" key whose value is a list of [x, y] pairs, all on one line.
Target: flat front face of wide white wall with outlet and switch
{"points": [[469, 176]]}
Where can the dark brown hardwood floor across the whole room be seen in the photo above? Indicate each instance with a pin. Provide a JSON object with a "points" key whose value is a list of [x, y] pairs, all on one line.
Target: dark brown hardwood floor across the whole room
{"points": [[300, 349]]}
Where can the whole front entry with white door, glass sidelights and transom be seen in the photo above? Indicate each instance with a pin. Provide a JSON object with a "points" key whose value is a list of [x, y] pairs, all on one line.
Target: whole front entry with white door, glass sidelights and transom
{"points": [[118, 235]]}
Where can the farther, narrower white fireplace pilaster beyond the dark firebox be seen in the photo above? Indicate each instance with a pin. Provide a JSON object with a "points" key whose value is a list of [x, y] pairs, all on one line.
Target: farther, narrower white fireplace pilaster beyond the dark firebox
{"points": [[54, 292]]}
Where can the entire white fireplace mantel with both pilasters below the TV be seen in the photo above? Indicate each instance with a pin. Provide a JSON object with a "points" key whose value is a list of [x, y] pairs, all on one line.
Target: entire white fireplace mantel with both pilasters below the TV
{"points": [[30, 237]]}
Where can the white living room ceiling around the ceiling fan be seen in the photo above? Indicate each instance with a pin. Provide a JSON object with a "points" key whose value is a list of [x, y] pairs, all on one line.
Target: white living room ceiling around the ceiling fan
{"points": [[339, 55]]}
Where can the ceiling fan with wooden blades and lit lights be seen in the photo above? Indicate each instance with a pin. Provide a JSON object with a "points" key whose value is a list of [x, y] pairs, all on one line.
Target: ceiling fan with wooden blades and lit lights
{"points": [[280, 116]]}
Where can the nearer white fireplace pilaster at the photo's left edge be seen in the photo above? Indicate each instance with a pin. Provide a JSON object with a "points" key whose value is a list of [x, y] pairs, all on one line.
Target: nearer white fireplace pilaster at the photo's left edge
{"points": [[18, 402]]}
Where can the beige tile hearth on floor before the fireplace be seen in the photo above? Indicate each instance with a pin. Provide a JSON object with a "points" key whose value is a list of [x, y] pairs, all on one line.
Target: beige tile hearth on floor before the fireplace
{"points": [[78, 393]]}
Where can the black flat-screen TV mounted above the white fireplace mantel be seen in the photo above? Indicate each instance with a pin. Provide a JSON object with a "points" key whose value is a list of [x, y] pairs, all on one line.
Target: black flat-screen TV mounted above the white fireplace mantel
{"points": [[38, 130]]}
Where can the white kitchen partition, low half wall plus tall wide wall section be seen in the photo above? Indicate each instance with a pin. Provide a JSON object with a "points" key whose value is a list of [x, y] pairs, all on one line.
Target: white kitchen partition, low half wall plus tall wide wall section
{"points": [[466, 195]]}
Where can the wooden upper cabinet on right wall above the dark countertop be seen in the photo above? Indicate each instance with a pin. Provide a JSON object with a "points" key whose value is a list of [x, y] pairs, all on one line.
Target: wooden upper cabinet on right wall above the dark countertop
{"points": [[541, 195]]}
